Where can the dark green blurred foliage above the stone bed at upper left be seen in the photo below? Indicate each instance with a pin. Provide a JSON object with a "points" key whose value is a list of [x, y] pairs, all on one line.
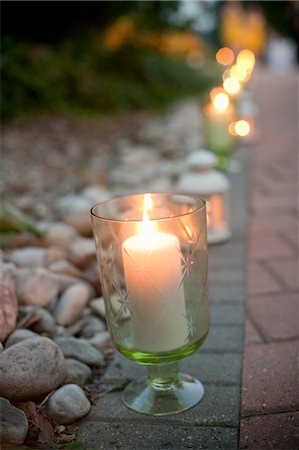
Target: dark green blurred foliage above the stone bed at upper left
{"points": [[80, 76]]}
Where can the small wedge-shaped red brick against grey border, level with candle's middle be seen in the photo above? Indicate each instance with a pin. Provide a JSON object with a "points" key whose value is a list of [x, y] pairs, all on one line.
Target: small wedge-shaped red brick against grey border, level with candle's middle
{"points": [[260, 280]]}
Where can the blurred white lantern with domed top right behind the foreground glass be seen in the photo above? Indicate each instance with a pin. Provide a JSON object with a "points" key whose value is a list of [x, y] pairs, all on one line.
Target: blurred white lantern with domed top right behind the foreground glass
{"points": [[213, 186]]}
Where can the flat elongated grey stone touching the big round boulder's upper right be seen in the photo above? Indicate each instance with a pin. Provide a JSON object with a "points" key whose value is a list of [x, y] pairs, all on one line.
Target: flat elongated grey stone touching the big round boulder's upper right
{"points": [[80, 350]]}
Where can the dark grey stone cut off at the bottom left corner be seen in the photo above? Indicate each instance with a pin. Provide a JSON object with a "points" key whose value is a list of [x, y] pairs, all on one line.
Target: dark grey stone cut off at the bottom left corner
{"points": [[13, 423]]}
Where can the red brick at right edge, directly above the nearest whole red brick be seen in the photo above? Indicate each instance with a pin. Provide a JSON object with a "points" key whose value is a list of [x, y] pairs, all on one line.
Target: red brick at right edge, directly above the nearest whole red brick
{"points": [[276, 316]]}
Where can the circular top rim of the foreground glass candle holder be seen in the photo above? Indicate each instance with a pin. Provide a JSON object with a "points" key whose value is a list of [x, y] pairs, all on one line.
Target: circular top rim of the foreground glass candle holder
{"points": [[200, 205]]}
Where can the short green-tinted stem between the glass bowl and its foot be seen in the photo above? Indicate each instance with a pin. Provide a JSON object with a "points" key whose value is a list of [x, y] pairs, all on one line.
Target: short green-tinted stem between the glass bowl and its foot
{"points": [[163, 377]]}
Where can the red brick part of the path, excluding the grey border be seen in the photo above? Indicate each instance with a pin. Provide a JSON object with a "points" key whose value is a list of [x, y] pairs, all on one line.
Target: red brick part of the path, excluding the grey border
{"points": [[270, 394]]}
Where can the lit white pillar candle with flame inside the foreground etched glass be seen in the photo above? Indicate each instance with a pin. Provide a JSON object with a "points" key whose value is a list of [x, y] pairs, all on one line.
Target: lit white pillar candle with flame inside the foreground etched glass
{"points": [[153, 274]]}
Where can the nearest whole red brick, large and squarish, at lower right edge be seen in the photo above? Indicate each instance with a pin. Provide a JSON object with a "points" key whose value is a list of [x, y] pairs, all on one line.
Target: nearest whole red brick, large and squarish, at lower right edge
{"points": [[270, 378]]}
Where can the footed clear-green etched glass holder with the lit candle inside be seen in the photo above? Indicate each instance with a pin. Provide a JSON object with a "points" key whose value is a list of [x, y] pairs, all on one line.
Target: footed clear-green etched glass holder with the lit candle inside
{"points": [[152, 255]]}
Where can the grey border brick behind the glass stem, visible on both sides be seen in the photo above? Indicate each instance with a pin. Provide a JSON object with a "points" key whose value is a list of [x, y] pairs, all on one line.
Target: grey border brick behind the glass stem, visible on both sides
{"points": [[207, 367]]}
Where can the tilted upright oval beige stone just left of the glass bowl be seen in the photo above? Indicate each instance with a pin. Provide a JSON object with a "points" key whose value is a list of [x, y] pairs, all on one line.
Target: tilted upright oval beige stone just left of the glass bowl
{"points": [[71, 304]]}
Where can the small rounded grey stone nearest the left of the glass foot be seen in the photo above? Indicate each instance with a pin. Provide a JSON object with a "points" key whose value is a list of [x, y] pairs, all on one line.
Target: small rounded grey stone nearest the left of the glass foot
{"points": [[68, 404]]}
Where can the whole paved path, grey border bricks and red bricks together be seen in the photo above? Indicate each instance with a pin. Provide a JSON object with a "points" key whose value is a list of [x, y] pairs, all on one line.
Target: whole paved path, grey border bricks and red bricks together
{"points": [[269, 395]]}
